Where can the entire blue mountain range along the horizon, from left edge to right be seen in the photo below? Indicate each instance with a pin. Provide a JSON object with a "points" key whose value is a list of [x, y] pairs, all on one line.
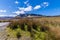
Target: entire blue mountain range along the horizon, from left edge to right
{"points": [[26, 15]]}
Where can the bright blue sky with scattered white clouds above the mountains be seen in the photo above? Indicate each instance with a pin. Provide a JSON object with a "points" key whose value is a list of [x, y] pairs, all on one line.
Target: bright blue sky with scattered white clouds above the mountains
{"points": [[16, 7]]}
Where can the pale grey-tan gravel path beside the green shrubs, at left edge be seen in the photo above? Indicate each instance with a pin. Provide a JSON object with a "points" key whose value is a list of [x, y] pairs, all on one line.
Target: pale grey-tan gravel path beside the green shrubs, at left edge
{"points": [[3, 33]]}
